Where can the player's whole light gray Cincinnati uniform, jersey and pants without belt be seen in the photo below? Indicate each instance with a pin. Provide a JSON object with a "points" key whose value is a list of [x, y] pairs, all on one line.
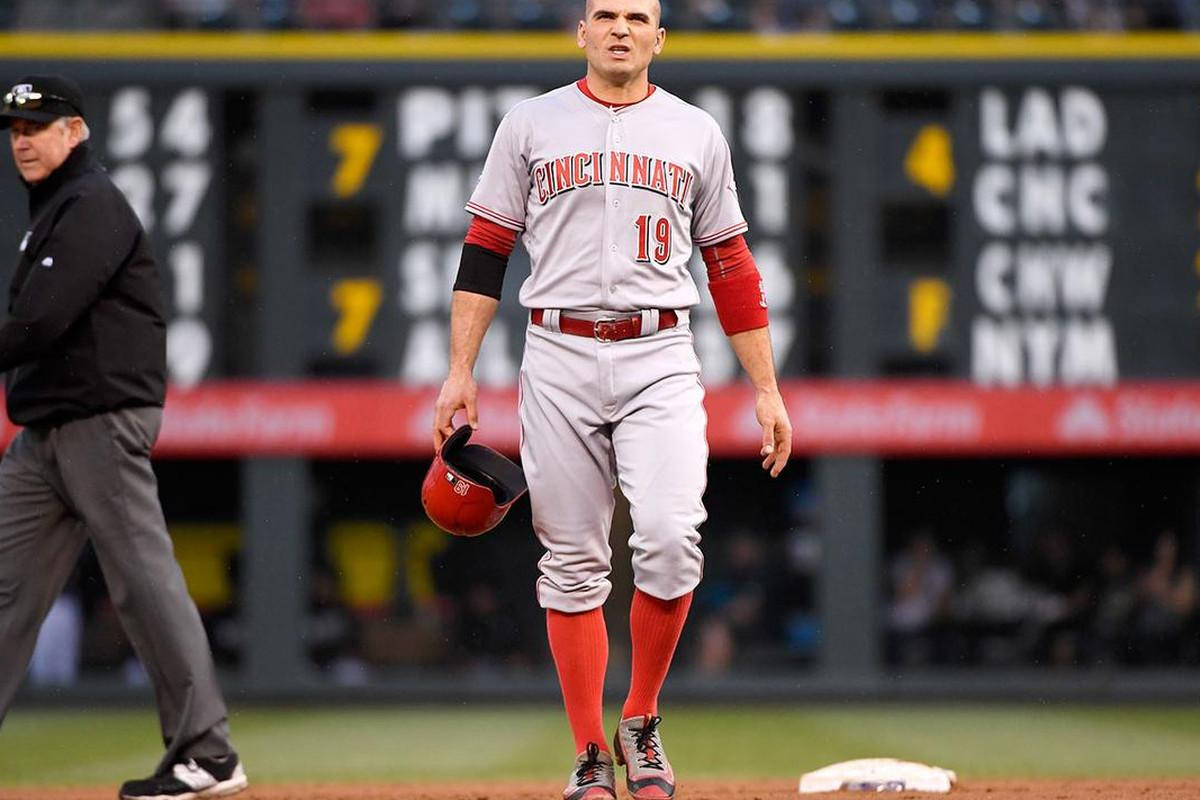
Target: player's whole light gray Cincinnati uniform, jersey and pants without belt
{"points": [[610, 203]]}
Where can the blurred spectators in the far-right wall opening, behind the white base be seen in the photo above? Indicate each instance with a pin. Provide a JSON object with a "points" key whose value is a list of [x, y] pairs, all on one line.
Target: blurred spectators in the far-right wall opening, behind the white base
{"points": [[1060, 605]]}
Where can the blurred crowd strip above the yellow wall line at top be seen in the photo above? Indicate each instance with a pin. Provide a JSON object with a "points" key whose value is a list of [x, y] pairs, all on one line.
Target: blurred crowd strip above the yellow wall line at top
{"points": [[766, 16]]}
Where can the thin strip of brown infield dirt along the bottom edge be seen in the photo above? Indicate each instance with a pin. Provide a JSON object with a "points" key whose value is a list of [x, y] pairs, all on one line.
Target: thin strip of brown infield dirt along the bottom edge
{"points": [[772, 790]]}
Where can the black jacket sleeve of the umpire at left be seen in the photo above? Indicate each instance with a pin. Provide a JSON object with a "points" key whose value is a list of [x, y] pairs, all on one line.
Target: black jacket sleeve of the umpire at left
{"points": [[87, 246]]}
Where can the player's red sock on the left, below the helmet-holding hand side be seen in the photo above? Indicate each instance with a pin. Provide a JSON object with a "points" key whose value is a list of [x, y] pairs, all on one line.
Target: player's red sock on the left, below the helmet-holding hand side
{"points": [[580, 646]]}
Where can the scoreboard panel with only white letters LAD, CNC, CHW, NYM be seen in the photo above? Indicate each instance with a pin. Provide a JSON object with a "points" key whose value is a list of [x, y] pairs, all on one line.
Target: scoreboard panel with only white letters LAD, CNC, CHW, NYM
{"points": [[1081, 254]]}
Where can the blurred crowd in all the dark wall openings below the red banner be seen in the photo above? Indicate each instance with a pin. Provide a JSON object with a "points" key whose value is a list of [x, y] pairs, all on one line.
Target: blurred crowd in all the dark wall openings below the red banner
{"points": [[393, 596]]}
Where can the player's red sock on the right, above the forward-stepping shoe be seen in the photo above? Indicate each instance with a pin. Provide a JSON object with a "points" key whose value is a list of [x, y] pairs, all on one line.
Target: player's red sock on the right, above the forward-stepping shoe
{"points": [[655, 627]]}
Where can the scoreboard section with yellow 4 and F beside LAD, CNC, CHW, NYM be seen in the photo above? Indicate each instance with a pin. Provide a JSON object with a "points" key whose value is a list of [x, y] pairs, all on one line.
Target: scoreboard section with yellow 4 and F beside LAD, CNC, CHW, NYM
{"points": [[1045, 234]]}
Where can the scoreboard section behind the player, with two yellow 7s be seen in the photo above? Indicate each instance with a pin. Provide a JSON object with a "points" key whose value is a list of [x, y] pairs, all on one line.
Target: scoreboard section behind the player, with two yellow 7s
{"points": [[387, 178]]}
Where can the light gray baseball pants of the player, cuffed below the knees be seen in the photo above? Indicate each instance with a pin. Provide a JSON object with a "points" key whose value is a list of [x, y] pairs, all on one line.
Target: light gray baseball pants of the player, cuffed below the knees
{"points": [[595, 414]]}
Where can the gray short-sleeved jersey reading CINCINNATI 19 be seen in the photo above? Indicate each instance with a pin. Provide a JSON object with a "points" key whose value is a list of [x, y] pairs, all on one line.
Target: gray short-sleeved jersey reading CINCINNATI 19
{"points": [[610, 201]]}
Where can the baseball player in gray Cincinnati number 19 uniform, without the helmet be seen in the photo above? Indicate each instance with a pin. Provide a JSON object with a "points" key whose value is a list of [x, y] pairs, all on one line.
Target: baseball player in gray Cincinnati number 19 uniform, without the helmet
{"points": [[611, 182]]}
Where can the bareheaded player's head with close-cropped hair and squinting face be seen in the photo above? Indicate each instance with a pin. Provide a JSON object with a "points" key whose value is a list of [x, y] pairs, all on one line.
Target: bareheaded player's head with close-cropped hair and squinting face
{"points": [[621, 38]]}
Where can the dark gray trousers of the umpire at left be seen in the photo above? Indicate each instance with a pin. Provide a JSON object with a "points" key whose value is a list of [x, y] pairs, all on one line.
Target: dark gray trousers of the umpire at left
{"points": [[93, 478]]}
